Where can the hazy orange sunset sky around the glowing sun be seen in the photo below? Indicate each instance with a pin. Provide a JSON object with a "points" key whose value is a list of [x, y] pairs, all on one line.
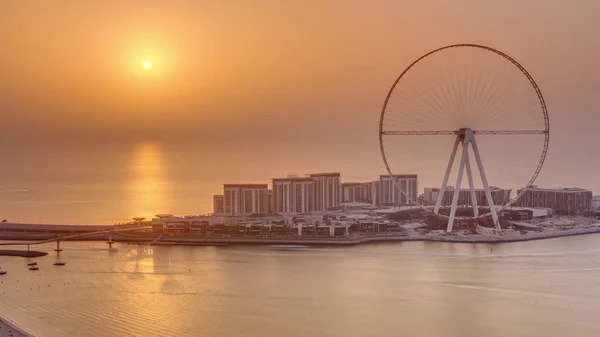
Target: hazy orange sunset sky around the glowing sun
{"points": [[305, 78]]}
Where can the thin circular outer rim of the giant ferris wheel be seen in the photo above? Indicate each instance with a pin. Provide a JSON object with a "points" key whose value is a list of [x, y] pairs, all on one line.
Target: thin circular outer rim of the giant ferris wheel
{"points": [[544, 114]]}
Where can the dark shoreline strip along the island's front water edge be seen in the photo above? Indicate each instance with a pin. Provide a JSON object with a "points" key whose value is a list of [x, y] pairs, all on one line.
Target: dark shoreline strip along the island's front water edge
{"points": [[340, 241]]}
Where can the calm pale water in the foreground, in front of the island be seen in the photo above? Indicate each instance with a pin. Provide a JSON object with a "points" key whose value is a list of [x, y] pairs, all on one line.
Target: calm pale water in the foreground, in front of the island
{"points": [[539, 288]]}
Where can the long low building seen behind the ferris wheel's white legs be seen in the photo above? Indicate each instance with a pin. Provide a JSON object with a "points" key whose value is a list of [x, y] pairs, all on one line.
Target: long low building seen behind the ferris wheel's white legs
{"points": [[499, 196]]}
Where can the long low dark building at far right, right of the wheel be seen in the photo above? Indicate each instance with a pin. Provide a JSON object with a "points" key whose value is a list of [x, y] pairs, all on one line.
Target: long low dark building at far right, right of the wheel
{"points": [[565, 201]]}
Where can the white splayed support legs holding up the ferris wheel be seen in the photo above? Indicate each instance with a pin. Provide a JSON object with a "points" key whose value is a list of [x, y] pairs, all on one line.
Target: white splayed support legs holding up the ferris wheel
{"points": [[466, 137]]}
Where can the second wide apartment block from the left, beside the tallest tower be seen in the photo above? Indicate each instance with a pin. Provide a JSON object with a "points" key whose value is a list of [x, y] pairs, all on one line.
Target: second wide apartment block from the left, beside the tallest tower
{"points": [[294, 195]]}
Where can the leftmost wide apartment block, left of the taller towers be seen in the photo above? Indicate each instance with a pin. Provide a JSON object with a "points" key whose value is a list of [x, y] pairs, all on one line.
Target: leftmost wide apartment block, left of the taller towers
{"points": [[245, 199]]}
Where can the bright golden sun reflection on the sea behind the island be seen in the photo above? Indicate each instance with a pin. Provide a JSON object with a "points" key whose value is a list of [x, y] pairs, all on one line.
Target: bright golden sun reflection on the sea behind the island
{"points": [[149, 188]]}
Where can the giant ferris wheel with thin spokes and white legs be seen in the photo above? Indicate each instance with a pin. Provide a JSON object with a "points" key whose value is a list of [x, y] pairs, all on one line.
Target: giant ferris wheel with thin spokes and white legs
{"points": [[463, 92]]}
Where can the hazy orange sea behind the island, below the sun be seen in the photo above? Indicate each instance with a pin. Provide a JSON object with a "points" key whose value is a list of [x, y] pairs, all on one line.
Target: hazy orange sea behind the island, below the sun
{"points": [[103, 184]]}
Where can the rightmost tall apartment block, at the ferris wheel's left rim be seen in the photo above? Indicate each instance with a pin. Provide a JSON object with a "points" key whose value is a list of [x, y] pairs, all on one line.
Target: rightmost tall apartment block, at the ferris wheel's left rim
{"points": [[395, 190]]}
